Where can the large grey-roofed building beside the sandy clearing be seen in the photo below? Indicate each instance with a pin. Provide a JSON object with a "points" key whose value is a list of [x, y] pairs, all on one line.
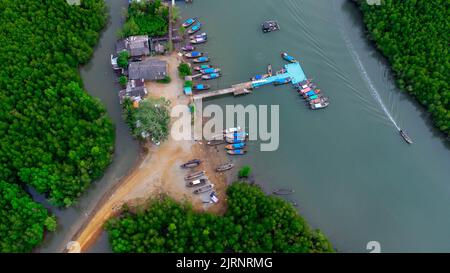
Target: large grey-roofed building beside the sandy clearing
{"points": [[148, 70]]}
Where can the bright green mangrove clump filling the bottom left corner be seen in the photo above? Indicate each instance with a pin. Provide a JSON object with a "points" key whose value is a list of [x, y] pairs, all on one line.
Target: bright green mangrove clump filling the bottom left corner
{"points": [[22, 221]]}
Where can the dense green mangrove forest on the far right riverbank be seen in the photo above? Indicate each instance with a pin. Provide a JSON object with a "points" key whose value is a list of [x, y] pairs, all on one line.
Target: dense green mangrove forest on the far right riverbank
{"points": [[415, 36]]}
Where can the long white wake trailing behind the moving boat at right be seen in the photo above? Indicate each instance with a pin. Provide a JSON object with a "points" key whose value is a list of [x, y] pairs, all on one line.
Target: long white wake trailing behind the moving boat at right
{"points": [[366, 77]]}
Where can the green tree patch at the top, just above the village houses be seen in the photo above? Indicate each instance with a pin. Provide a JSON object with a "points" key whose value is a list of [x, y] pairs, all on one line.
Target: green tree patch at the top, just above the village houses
{"points": [[146, 18]]}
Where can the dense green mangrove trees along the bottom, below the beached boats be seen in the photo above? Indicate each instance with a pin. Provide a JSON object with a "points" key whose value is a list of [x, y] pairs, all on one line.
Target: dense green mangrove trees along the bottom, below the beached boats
{"points": [[254, 222]]}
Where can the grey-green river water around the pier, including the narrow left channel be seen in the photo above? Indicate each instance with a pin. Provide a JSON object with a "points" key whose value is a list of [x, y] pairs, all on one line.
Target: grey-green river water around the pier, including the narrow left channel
{"points": [[354, 177]]}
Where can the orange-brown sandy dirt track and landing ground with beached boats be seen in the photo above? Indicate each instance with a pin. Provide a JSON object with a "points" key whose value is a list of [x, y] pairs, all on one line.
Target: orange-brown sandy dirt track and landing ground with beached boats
{"points": [[159, 170]]}
